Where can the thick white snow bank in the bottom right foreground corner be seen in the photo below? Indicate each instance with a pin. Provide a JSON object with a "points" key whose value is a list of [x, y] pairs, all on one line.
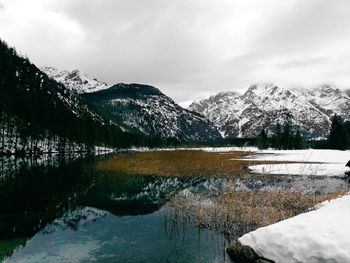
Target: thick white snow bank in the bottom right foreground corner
{"points": [[321, 235]]}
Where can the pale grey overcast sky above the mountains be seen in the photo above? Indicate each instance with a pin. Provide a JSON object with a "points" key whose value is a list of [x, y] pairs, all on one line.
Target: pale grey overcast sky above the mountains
{"points": [[186, 48]]}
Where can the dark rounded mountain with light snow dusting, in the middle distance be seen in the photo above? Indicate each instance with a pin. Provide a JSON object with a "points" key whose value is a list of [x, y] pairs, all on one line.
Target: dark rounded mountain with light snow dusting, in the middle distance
{"points": [[145, 109]]}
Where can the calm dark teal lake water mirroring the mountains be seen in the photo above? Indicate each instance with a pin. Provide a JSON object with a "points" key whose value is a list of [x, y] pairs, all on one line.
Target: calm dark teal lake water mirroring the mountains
{"points": [[59, 210]]}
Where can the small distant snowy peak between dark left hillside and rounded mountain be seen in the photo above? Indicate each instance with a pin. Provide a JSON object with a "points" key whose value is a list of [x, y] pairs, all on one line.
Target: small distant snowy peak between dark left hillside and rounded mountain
{"points": [[75, 80]]}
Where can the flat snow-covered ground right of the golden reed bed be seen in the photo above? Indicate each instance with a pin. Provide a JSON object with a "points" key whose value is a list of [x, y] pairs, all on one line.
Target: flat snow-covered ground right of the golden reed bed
{"points": [[318, 162]]}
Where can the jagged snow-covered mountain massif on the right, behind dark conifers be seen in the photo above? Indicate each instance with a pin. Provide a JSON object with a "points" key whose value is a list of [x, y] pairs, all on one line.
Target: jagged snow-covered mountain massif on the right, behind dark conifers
{"points": [[262, 106]]}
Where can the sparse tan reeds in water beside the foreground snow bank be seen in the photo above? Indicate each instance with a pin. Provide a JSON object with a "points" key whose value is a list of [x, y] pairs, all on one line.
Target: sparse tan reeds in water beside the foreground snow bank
{"points": [[239, 212]]}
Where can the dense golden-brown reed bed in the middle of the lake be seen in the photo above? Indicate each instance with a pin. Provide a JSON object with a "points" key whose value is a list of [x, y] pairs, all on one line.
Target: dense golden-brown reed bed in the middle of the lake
{"points": [[175, 163]]}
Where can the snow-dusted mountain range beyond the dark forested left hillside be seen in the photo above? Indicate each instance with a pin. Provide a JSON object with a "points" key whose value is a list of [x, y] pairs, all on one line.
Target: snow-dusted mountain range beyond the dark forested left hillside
{"points": [[146, 110]]}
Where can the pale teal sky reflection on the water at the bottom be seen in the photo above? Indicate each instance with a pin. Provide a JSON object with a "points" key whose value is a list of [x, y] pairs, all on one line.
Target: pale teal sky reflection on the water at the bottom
{"points": [[122, 239]]}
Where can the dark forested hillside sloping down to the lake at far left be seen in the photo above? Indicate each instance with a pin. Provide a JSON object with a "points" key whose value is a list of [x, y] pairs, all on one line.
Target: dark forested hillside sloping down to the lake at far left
{"points": [[38, 114]]}
